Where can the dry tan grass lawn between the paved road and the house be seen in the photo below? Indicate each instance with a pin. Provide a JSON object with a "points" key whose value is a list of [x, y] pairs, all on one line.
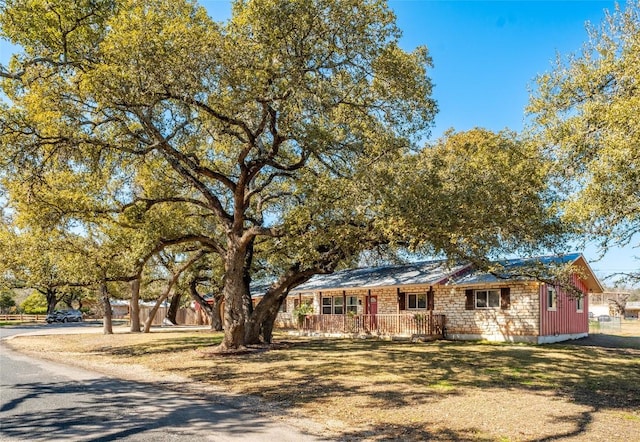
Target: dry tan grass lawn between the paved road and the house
{"points": [[378, 390]]}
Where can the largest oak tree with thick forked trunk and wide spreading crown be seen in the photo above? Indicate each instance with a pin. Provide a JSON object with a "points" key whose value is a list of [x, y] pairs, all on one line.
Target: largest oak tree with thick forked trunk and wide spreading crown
{"points": [[244, 118]]}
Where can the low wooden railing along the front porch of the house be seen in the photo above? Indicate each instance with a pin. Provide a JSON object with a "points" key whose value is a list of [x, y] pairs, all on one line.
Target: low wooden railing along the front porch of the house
{"points": [[403, 324]]}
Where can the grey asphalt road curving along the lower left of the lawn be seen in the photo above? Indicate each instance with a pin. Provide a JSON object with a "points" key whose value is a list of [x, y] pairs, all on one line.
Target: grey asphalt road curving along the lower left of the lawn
{"points": [[44, 401]]}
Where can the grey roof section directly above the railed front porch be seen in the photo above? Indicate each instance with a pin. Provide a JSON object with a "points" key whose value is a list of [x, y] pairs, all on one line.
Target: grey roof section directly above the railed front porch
{"points": [[425, 272]]}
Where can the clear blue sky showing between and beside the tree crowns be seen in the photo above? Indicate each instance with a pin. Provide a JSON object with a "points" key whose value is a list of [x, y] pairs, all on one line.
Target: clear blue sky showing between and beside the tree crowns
{"points": [[486, 56]]}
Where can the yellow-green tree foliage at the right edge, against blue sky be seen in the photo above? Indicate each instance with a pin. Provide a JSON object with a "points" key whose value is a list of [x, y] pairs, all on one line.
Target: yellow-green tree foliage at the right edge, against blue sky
{"points": [[586, 115]]}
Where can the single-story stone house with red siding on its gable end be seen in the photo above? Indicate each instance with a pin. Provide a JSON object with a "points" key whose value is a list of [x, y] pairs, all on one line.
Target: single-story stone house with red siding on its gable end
{"points": [[456, 302]]}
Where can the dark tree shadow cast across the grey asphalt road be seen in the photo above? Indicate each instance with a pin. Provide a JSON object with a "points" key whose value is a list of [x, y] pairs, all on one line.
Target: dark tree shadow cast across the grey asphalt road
{"points": [[106, 409]]}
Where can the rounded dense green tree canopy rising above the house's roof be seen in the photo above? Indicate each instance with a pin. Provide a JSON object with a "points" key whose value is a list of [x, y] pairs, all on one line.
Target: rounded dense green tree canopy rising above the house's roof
{"points": [[477, 195]]}
